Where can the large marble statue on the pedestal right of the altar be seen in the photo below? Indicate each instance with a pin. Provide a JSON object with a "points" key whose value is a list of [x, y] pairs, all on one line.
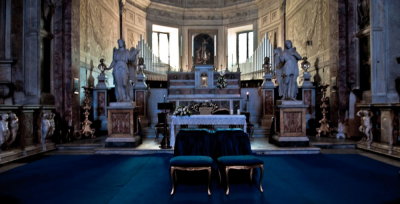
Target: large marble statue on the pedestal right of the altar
{"points": [[289, 71]]}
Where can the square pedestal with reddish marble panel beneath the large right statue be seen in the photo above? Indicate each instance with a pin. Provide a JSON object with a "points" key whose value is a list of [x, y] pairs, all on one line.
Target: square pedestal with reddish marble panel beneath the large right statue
{"points": [[292, 124]]}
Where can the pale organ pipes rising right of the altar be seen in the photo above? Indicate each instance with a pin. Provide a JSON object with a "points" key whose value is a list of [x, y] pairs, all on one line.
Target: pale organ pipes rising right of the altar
{"points": [[253, 67]]}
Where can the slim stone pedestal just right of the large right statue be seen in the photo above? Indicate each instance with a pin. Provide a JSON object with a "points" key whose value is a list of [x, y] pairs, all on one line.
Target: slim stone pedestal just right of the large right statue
{"points": [[308, 93]]}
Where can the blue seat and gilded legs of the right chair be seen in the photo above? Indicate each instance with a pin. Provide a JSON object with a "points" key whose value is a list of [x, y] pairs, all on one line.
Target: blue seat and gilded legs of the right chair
{"points": [[249, 162]]}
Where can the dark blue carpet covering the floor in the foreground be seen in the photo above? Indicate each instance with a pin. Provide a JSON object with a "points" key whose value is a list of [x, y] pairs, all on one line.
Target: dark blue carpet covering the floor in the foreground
{"points": [[320, 178]]}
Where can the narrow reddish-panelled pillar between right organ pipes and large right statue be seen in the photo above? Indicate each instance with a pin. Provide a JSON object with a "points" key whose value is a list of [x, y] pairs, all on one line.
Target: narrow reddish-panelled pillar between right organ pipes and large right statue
{"points": [[268, 95]]}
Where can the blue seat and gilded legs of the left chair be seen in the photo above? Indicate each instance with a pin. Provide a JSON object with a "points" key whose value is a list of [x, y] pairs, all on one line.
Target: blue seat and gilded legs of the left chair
{"points": [[190, 163]]}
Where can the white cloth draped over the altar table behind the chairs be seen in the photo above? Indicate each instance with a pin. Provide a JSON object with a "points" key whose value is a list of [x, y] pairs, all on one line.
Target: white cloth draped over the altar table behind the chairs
{"points": [[206, 120]]}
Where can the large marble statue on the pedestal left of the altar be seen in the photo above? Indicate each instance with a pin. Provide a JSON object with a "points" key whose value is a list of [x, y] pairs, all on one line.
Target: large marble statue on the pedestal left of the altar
{"points": [[121, 57]]}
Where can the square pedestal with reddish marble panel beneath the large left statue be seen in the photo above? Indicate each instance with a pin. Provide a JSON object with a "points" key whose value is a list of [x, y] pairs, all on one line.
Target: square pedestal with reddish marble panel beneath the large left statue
{"points": [[122, 125]]}
